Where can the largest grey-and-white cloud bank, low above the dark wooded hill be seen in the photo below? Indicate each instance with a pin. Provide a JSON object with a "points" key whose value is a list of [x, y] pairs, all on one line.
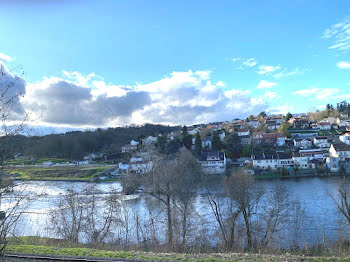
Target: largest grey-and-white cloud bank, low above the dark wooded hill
{"points": [[190, 97]]}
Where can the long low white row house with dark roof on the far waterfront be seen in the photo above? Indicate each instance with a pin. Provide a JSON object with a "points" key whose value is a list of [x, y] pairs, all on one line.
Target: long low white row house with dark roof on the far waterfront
{"points": [[273, 161]]}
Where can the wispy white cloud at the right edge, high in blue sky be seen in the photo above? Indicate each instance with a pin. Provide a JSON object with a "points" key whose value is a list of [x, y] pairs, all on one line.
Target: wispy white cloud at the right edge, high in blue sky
{"points": [[339, 34]]}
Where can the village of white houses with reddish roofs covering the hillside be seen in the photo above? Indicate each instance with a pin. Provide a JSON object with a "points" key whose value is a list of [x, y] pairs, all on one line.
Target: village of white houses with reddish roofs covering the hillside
{"points": [[285, 145]]}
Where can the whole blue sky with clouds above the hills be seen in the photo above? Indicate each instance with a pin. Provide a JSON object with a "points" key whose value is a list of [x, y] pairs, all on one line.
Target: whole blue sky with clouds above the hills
{"points": [[107, 63]]}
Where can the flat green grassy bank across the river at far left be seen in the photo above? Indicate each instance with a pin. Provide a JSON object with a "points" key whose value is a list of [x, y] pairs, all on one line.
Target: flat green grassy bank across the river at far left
{"points": [[78, 173]]}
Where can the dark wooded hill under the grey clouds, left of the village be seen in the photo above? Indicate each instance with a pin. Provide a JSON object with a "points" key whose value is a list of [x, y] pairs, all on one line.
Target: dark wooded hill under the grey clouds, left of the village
{"points": [[77, 144]]}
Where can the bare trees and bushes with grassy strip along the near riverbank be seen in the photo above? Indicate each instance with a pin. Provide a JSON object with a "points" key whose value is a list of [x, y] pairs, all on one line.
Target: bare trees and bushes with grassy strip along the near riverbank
{"points": [[243, 221]]}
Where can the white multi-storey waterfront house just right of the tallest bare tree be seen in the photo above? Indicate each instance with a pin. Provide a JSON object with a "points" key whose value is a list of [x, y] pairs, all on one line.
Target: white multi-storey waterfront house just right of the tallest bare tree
{"points": [[213, 162]]}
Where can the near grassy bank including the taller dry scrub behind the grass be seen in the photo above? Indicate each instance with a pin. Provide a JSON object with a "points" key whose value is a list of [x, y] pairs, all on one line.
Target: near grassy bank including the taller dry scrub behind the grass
{"points": [[59, 247]]}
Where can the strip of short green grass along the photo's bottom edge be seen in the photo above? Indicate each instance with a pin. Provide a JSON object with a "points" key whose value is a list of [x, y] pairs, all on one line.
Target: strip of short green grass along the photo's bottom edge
{"points": [[150, 256]]}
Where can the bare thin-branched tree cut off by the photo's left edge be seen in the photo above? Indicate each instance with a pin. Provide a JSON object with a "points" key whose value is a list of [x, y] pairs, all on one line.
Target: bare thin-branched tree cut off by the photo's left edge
{"points": [[14, 201]]}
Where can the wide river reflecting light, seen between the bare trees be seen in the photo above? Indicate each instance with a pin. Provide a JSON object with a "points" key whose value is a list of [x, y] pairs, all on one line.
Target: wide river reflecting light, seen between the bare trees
{"points": [[321, 219]]}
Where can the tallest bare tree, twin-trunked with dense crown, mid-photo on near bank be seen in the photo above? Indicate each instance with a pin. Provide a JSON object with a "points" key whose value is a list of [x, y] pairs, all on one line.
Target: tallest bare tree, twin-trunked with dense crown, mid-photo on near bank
{"points": [[172, 181]]}
